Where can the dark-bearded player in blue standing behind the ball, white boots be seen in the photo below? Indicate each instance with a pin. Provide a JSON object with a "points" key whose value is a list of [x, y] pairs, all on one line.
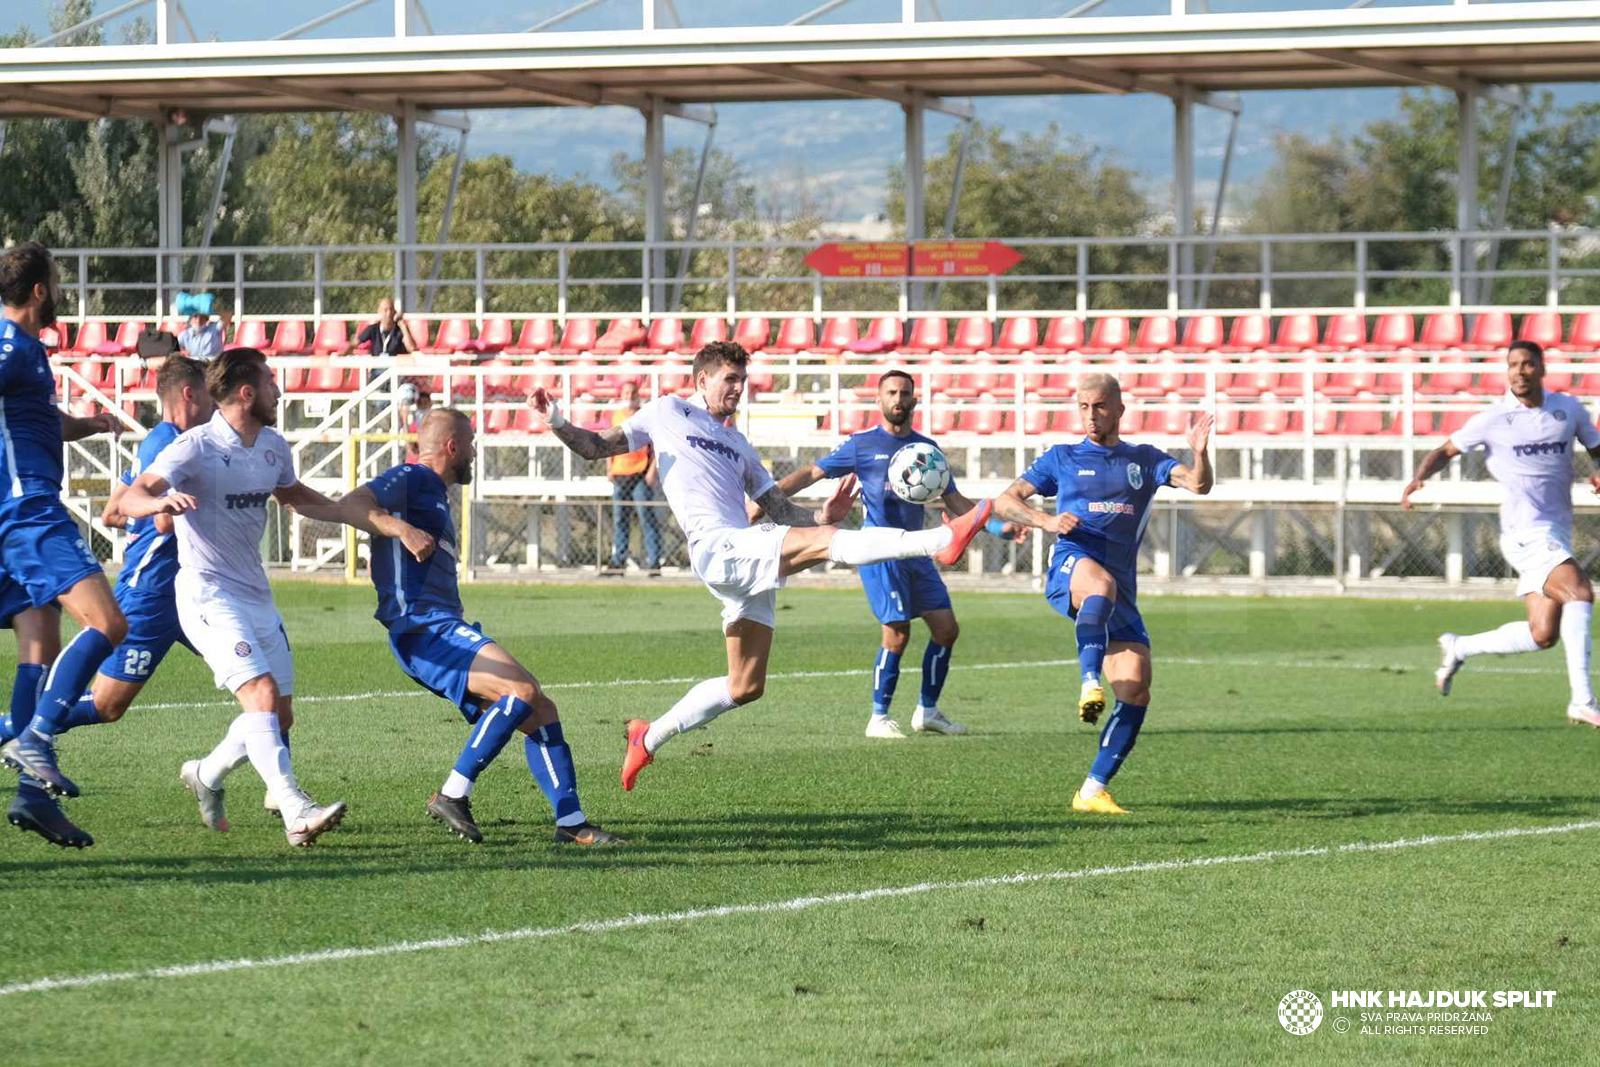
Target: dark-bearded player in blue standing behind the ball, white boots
{"points": [[898, 591]]}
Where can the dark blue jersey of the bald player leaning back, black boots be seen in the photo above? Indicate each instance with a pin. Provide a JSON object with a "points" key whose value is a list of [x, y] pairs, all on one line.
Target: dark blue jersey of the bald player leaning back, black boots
{"points": [[407, 588]]}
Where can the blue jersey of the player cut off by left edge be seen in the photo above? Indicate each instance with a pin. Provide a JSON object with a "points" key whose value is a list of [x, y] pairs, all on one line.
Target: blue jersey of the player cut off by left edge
{"points": [[30, 418]]}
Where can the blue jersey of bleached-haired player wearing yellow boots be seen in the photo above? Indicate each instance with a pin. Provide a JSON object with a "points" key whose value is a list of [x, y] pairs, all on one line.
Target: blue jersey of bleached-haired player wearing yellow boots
{"points": [[1110, 490]]}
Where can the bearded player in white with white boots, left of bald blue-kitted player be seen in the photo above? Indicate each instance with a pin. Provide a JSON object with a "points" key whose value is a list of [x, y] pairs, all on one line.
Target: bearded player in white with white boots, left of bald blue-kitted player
{"points": [[217, 481]]}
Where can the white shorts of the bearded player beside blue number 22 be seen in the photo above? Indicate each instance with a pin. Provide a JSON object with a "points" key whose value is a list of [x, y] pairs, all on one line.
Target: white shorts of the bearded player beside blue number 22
{"points": [[239, 639]]}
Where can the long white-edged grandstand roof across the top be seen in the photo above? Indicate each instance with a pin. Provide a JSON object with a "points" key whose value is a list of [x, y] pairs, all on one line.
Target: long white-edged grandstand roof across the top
{"points": [[1455, 47]]}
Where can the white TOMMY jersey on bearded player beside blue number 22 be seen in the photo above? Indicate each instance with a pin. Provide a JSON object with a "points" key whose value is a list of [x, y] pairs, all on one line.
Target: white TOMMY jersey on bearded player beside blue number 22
{"points": [[222, 538]]}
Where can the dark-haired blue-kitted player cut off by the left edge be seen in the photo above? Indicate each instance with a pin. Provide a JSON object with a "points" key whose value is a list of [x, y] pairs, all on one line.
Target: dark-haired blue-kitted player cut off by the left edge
{"points": [[44, 559]]}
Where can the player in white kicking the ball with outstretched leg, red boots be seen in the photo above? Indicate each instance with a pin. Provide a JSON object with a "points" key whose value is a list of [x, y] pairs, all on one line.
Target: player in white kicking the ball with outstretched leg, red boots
{"points": [[708, 470]]}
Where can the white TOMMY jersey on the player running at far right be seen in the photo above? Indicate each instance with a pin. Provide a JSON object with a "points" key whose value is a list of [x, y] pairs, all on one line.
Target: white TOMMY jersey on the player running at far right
{"points": [[1530, 454]]}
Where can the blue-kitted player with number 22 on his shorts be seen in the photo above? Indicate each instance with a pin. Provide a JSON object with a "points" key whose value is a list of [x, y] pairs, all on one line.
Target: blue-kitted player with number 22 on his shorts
{"points": [[145, 588]]}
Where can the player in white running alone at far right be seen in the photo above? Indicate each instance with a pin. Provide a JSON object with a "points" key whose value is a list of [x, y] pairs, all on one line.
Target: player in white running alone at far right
{"points": [[1529, 438]]}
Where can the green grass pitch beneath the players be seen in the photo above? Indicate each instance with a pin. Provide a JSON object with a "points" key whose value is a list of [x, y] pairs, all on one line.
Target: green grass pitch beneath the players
{"points": [[1281, 727]]}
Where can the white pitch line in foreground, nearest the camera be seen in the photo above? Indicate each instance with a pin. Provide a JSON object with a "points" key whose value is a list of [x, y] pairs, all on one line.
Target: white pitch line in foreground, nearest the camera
{"points": [[796, 905]]}
